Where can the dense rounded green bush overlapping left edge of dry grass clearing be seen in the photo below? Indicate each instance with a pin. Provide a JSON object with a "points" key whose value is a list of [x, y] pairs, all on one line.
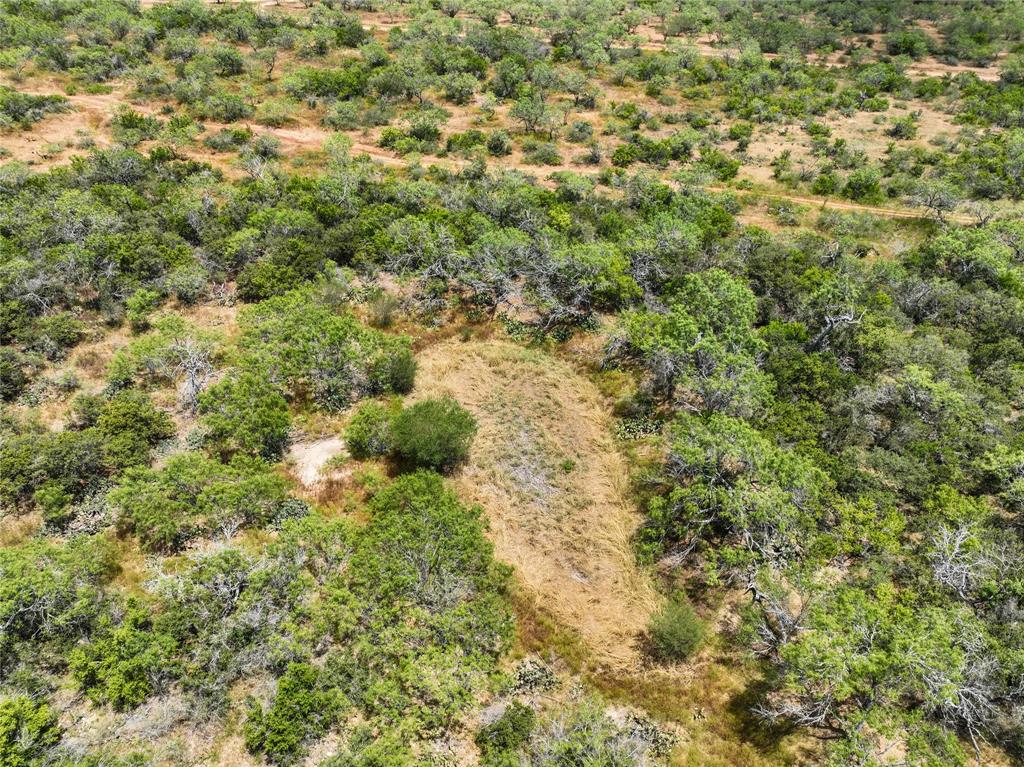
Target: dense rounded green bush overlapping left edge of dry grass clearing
{"points": [[435, 435]]}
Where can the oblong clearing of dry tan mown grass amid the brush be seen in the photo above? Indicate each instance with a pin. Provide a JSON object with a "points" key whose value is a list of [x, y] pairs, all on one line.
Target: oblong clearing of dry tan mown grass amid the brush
{"points": [[548, 475]]}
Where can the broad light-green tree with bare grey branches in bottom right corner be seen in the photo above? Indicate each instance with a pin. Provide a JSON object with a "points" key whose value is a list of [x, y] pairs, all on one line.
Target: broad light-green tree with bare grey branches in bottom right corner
{"points": [[867, 663]]}
